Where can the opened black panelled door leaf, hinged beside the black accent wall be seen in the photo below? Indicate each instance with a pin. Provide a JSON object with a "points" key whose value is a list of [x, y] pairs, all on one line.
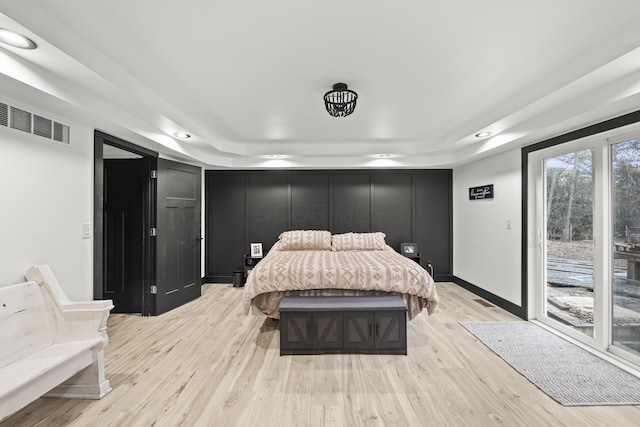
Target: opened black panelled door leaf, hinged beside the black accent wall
{"points": [[178, 234]]}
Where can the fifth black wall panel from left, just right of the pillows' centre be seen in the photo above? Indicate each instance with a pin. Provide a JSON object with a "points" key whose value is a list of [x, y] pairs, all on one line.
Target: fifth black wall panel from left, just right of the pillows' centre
{"points": [[392, 207]]}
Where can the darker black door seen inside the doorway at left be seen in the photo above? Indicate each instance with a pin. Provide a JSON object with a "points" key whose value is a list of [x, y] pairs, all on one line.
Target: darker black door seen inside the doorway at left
{"points": [[124, 234]]}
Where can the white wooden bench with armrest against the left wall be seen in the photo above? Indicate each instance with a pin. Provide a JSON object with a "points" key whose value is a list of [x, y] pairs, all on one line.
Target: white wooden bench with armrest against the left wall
{"points": [[49, 345]]}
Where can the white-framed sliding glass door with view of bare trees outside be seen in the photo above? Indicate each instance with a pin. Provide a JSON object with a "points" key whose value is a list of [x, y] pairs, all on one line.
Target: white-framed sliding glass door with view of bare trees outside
{"points": [[586, 254]]}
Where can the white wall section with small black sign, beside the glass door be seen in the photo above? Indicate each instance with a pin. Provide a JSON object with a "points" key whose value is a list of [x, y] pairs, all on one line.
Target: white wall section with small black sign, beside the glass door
{"points": [[485, 252]]}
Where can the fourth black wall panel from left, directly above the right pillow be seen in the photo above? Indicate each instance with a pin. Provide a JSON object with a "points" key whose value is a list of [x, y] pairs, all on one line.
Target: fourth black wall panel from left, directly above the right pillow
{"points": [[351, 203]]}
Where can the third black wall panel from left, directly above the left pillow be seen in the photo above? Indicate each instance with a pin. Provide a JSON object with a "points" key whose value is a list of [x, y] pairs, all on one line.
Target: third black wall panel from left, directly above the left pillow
{"points": [[310, 201]]}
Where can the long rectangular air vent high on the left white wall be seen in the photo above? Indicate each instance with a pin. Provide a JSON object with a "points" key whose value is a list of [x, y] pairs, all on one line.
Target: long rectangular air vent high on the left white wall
{"points": [[25, 121]]}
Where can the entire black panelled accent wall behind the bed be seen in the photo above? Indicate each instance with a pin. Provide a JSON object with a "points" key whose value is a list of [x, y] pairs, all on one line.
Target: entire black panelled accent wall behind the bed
{"points": [[242, 207]]}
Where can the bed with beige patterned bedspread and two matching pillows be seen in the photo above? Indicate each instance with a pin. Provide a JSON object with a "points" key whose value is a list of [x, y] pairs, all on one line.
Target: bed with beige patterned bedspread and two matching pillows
{"points": [[314, 262]]}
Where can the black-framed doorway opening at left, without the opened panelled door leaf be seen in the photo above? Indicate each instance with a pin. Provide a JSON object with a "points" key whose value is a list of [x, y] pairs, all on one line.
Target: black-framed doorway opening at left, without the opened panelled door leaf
{"points": [[124, 196]]}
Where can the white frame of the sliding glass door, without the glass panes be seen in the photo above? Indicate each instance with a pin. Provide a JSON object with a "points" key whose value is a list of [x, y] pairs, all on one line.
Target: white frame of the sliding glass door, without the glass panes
{"points": [[600, 139]]}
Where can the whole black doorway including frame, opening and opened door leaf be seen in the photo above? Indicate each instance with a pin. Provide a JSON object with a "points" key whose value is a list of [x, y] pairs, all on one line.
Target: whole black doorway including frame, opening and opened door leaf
{"points": [[147, 228]]}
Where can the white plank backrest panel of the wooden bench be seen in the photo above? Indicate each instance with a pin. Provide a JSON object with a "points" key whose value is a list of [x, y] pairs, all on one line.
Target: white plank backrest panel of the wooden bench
{"points": [[24, 322]]}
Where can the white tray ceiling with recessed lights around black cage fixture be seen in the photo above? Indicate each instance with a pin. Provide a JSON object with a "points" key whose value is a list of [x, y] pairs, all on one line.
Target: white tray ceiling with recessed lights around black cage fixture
{"points": [[246, 78]]}
